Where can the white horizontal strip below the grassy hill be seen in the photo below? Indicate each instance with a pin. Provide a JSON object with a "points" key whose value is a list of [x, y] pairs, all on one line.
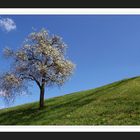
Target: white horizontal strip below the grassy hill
{"points": [[70, 128]]}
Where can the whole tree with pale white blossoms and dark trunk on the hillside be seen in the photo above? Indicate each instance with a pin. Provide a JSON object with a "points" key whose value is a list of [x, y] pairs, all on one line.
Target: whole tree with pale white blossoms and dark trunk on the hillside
{"points": [[41, 59]]}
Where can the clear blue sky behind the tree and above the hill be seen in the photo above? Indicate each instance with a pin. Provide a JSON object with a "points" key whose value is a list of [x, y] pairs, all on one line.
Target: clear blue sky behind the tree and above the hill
{"points": [[104, 48]]}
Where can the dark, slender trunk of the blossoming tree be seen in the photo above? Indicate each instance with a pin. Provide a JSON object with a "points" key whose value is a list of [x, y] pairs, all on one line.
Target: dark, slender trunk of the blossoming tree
{"points": [[42, 91]]}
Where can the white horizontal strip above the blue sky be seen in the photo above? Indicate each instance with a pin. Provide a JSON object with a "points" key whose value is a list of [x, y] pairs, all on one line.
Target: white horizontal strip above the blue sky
{"points": [[70, 11]]}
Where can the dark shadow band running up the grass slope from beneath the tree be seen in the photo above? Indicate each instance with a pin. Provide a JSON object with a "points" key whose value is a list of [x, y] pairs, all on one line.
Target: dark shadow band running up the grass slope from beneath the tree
{"points": [[30, 114]]}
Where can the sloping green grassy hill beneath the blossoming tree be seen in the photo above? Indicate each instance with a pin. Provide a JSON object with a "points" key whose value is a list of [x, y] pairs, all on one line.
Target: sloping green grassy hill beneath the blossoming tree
{"points": [[114, 104]]}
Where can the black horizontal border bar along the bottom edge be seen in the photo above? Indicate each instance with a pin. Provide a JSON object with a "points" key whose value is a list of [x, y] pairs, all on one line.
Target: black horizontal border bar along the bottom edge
{"points": [[70, 135]]}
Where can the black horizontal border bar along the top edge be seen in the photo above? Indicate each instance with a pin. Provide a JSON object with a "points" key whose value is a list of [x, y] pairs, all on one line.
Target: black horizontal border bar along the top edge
{"points": [[69, 4]]}
